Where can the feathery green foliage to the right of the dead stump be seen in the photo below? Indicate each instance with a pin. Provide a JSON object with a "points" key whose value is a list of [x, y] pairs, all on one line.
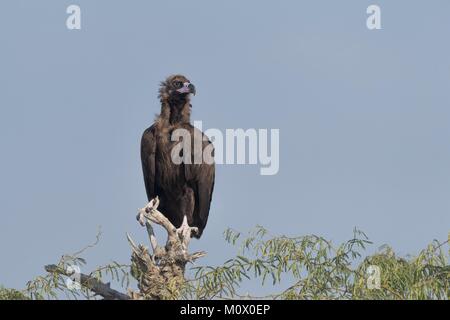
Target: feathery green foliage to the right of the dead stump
{"points": [[321, 270]]}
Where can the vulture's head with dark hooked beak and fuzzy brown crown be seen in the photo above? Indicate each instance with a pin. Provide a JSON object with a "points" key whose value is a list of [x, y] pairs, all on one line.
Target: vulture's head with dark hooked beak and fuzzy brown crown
{"points": [[176, 89]]}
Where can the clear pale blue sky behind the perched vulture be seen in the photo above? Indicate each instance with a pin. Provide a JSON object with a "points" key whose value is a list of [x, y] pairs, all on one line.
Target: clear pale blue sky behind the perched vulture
{"points": [[363, 118]]}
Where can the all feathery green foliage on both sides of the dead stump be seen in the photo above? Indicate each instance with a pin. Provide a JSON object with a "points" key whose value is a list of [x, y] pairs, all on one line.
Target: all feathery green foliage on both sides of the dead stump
{"points": [[314, 267]]}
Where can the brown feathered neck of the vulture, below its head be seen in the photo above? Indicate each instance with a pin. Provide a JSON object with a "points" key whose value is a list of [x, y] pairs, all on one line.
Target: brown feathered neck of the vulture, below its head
{"points": [[175, 111]]}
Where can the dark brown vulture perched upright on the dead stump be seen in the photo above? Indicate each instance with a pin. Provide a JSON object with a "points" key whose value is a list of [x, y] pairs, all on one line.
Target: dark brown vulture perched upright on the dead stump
{"points": [[183, 189]]}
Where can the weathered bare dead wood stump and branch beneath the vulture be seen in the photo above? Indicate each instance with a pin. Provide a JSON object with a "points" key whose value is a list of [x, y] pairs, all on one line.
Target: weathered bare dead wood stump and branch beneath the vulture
{"points": [[160, 275]]}
